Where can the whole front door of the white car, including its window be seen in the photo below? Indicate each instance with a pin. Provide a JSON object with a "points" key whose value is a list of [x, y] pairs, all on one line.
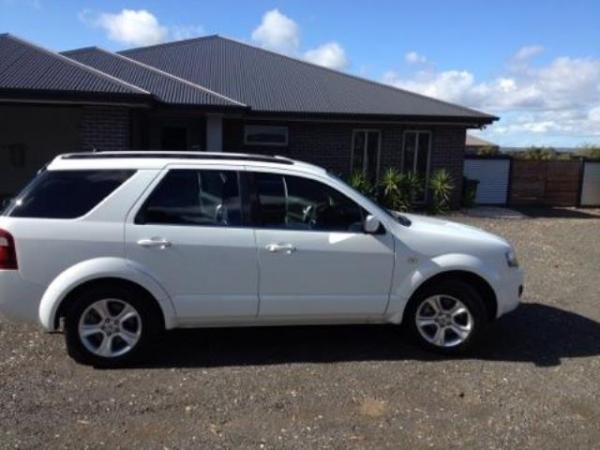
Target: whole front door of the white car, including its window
{"points": [[315, 260]]}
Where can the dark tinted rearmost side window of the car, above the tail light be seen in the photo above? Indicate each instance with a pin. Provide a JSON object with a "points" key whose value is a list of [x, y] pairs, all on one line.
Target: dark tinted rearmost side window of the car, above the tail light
{"points": [[66, 194]]}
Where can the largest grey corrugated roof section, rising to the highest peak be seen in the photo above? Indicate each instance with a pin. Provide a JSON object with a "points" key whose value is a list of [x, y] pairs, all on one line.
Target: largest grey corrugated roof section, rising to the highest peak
{"points": [[270, 82]]}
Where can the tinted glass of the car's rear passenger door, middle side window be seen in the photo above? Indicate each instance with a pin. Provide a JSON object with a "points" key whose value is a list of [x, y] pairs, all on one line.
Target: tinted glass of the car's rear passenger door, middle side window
{"points": [[194, 197]]}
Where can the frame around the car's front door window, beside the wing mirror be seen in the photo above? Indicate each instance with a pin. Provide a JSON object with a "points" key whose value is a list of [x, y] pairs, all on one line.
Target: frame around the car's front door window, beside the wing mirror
{"points": [[255, 207]]}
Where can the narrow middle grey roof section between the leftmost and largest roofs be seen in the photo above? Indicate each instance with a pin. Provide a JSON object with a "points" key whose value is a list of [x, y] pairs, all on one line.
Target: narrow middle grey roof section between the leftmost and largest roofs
{"points": [[165, 87]]}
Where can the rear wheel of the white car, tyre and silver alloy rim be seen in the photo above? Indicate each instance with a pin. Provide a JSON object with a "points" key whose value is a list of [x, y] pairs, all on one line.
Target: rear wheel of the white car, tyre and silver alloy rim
{"points": [[109, 326]]}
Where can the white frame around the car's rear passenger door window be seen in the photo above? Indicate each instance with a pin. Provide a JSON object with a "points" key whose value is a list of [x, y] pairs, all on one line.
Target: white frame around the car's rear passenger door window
{"points": [[242, 191]]}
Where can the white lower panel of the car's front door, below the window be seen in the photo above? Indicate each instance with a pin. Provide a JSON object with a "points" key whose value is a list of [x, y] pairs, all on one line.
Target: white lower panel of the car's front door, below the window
{"points": [[328, 274]]}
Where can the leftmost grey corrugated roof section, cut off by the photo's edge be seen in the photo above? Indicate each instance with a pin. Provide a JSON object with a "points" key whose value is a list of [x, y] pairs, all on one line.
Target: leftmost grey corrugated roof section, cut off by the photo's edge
{"points": [[27, 68]]}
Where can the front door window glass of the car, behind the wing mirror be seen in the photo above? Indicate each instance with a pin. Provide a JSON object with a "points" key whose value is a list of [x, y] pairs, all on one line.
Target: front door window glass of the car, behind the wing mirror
{"points": [[291, 202]]}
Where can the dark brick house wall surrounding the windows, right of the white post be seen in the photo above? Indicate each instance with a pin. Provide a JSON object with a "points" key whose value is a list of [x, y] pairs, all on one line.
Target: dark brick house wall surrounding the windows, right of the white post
{"points": [[329, 145]]}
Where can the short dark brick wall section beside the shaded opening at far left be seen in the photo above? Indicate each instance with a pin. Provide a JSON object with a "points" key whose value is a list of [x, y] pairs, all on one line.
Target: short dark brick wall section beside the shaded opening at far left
{"points": [[105, 128]]}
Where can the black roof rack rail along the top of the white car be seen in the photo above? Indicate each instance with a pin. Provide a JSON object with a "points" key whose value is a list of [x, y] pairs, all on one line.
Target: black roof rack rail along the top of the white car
{"points": [[178, 155]]}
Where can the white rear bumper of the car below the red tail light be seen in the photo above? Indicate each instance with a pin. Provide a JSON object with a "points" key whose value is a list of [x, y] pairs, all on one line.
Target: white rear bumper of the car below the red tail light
{"points": [[19, 299]]}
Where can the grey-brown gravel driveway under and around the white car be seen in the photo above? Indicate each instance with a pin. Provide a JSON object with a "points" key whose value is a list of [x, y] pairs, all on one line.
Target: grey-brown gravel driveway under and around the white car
{"points": [[534, 381]]}
